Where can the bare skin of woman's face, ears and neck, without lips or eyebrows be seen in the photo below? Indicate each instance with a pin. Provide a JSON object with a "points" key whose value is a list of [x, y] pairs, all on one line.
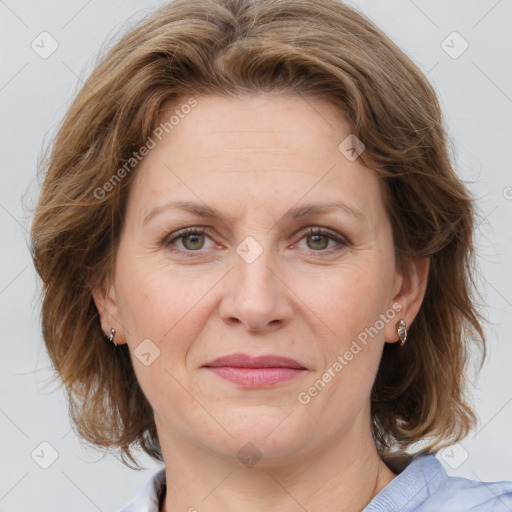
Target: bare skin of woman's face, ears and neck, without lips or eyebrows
{"points": [[307, 298]]}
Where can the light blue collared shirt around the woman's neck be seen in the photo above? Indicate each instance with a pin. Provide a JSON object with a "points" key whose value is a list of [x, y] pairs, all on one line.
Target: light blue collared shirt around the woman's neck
{"points": [[422, 486]]}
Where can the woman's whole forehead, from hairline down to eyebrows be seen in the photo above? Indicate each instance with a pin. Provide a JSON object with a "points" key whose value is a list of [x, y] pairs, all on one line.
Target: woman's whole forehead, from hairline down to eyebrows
{"points": [[269, 151]]}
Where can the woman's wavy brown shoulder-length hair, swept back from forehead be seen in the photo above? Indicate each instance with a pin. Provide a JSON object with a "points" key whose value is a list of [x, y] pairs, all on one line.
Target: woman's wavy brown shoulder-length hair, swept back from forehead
{"points": [[319, 48]]}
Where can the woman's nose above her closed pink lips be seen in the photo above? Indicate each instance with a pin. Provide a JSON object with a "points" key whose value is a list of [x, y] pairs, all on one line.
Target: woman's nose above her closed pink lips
{"points": [[257, 295]]}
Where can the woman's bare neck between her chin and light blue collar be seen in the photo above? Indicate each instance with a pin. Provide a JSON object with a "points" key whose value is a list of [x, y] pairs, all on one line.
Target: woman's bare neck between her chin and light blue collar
{"points": [[343, 476]]}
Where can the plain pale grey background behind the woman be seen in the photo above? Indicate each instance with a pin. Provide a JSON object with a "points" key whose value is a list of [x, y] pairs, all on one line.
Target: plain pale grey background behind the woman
{"points": [[475, 90]]}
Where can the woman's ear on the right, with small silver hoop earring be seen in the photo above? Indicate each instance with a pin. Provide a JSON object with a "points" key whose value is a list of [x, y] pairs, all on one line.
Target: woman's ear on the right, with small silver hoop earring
{"points": [[409, 292]]}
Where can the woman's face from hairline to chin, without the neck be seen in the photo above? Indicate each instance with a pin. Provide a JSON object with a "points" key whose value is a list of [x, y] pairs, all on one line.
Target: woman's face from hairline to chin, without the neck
{"points": [[253, 281]]}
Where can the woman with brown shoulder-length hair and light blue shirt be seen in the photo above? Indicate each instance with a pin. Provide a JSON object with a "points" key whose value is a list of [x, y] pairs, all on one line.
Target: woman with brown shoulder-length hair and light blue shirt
{"points": [[257, 264]]}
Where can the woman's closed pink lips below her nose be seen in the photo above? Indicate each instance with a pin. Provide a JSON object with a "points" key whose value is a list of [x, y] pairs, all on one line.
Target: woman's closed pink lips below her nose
{"points": [[255, 372]]}
